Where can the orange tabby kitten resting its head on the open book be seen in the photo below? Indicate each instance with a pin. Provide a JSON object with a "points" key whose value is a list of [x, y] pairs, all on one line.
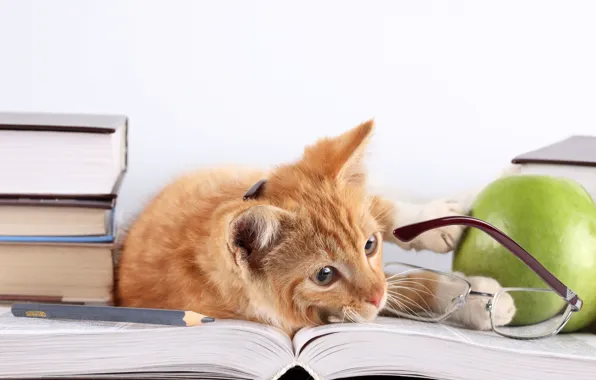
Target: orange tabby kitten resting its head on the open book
{"points": [[305, 249]]}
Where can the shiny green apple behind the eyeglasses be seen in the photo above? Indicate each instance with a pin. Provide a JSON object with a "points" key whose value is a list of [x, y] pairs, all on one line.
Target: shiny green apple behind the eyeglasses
{"points": [[552, 218]]}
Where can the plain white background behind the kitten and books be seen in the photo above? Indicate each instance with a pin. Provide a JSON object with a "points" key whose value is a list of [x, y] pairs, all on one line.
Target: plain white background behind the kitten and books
{"points": [[456, 88]]}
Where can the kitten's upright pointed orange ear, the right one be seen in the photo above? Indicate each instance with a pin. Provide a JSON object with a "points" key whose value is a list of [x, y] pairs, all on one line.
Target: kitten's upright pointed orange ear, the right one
{"points": [[341, 158]]}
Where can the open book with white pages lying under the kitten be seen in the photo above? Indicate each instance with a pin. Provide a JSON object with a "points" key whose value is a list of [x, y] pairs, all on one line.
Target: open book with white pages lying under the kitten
{"points": [[237, 349]]}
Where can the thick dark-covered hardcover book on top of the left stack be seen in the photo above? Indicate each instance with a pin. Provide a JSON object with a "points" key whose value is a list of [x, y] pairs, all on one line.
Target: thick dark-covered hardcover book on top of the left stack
{"points": [[50, 155]]}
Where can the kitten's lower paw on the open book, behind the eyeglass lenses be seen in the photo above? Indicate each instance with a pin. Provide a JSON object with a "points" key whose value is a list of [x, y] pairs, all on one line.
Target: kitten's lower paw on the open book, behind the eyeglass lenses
{"points": [[475, 315]]}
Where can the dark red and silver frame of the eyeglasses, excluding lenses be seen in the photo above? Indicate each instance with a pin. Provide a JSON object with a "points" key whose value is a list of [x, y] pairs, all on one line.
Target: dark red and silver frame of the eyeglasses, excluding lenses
{"points": [[411, 231]]}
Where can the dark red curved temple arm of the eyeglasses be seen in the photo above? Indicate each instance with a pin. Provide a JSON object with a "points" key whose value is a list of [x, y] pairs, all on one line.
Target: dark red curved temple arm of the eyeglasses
{"points": [[409, 232]]}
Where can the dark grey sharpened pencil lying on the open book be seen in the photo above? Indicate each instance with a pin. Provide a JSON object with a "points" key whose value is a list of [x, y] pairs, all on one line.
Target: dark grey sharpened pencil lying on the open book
{"points": [[109, 314]]}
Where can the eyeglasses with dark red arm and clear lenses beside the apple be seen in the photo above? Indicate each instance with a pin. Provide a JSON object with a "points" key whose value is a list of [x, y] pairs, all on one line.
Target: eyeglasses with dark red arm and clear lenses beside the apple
{"points": [[433, 296]]}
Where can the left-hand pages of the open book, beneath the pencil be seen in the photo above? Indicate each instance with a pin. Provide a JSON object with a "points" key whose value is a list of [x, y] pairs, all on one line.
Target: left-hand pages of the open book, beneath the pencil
{"points": [[225, 348]]}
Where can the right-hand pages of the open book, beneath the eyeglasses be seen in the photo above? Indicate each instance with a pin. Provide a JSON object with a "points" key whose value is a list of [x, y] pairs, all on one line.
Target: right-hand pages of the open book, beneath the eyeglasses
{"points": [[394, 346]]}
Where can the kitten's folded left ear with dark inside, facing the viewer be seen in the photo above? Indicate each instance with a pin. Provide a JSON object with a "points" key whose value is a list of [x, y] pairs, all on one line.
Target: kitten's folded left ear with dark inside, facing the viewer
{"points": [[256, 232]]}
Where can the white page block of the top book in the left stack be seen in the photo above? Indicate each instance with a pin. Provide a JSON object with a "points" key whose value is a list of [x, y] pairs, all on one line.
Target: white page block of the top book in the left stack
{"points": [[57, 162]]}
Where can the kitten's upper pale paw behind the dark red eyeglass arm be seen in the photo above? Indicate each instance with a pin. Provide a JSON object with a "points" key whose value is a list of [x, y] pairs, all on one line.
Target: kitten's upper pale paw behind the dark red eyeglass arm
{"points": [[439, 240]]}
